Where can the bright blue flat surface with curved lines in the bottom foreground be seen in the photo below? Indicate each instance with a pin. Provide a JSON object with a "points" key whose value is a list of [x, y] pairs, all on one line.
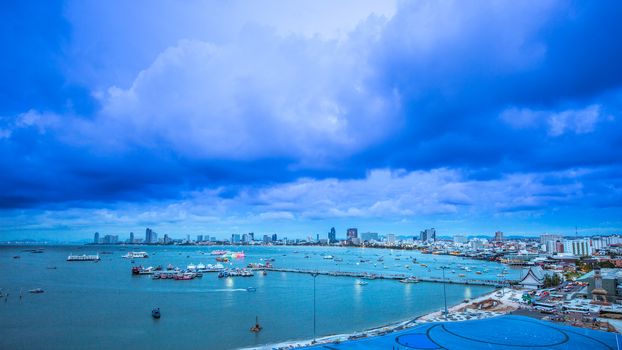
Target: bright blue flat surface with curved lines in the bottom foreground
{"points": [[503, 332]]}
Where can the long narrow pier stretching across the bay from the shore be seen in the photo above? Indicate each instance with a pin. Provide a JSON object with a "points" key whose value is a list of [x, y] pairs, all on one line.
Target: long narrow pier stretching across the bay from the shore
{"points": [[367, 275]]}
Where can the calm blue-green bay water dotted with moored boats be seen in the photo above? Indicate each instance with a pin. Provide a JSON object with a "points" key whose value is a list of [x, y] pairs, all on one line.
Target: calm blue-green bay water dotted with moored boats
{"points": [[101, 305]]}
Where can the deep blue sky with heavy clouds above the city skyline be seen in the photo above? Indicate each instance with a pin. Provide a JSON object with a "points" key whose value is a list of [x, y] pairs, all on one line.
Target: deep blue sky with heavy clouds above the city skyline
{"points": [[211, 117]]}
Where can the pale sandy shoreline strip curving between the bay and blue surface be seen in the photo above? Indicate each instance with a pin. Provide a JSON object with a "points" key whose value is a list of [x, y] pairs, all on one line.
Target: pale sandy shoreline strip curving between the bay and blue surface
{"points": [[435, 316]]}
